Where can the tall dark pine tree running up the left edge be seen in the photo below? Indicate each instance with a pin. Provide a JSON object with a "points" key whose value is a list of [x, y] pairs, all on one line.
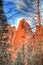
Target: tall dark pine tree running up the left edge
{"points": [[5, 57]]}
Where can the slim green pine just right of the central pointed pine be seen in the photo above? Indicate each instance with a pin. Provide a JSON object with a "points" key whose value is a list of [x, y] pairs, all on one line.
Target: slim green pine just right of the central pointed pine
{"points": [[29, 53]]}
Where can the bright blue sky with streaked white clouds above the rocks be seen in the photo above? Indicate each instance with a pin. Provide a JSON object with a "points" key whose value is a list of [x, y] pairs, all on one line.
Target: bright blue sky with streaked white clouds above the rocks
{"points": [[15, 10]]}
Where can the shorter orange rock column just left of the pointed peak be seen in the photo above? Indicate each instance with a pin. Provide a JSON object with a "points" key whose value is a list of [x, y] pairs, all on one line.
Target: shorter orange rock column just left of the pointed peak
{"points": [[12, 31]]}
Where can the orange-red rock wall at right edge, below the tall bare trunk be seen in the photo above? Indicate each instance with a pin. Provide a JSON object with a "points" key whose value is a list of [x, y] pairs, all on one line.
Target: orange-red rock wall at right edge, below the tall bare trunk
{"points": [[39, 36]]}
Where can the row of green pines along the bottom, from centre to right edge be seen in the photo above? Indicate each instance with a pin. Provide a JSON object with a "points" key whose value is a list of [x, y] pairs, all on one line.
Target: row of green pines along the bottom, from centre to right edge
{"points": [[31, 59]]}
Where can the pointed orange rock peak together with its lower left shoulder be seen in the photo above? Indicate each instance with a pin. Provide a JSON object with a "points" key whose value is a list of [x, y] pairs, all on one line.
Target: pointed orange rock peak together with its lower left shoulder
{"points": [[18, 37]]}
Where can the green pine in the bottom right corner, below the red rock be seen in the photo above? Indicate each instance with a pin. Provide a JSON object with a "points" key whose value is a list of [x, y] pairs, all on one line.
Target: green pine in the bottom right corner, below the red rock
{"points": [[38, 57]]}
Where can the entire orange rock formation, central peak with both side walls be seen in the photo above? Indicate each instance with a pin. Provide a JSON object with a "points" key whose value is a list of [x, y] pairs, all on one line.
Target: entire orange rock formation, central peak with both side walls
{"points": [[24, 35]]}
